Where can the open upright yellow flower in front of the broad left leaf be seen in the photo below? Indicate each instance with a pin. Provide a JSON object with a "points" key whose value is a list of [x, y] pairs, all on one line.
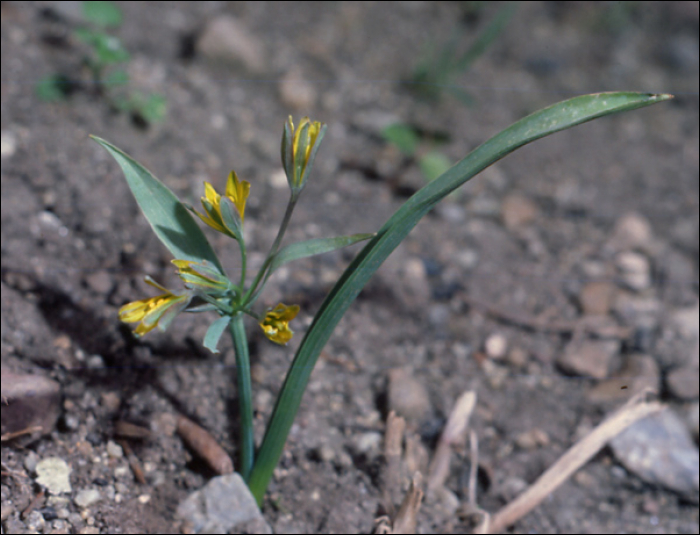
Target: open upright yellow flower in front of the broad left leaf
{"points": [[229, 222]]}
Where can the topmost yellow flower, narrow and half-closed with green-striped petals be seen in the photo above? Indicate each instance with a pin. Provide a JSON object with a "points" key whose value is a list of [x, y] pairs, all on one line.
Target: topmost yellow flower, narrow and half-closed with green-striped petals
{"points": [[299, 149]]}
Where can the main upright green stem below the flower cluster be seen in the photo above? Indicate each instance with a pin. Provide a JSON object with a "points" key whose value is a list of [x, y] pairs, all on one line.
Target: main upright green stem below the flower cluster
{"points": [[240, 343]]}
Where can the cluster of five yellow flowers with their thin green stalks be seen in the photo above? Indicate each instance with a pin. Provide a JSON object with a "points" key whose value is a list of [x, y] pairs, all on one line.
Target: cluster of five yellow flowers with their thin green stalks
{"points": [[226, 214]]}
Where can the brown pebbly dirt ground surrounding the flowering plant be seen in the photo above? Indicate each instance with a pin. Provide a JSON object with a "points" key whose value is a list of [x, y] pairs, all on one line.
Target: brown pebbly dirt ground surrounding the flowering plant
{"points": [[524, 240]]}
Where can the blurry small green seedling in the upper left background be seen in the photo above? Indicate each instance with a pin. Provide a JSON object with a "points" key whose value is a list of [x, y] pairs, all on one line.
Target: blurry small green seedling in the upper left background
{"points": [[105, 78]]}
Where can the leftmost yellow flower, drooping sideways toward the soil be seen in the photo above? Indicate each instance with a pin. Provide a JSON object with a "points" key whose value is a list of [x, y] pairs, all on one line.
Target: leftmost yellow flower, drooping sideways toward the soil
{"points": [[151, 310]]}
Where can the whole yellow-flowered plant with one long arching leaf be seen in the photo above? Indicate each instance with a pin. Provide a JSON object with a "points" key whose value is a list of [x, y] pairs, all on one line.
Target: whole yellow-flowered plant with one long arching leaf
{"points": [[207, 288]]}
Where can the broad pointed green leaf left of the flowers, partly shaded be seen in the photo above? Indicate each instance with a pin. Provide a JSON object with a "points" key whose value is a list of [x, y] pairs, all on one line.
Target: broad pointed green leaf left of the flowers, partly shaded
{"points": [[168, 217]]}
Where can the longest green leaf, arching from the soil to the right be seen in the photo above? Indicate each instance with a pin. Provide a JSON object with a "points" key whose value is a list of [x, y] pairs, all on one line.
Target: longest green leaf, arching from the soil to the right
{"points": [[542, 123]]}
